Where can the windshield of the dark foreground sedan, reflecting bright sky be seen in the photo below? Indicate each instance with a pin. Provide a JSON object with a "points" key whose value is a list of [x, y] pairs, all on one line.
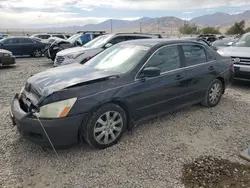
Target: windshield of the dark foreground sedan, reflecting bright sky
{"points": [[119, 58]]}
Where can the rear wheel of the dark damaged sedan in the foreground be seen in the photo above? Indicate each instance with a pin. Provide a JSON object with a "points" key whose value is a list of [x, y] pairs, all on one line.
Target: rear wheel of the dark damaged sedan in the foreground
{"points": [[213, 94]]}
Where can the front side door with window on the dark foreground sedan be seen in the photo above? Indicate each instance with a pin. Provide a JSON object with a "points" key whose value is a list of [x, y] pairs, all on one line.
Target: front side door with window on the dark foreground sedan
{"points": [[162, 93]]}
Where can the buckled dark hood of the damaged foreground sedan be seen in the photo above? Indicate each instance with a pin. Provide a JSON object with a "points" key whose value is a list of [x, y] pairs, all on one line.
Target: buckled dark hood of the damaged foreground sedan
{"points": [[56, 79]]}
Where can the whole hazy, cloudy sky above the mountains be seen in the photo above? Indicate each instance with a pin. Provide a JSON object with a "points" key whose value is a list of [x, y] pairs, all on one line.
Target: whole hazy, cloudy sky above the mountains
{"points": [[46, 13]]}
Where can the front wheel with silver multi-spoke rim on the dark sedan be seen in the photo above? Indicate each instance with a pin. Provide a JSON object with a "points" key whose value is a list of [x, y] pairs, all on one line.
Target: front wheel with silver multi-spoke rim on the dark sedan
{"points": [[101, 133]]}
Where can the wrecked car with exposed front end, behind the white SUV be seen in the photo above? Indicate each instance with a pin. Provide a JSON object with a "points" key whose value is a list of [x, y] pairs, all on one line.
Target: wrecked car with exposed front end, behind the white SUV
{"points": [[78, 39]]}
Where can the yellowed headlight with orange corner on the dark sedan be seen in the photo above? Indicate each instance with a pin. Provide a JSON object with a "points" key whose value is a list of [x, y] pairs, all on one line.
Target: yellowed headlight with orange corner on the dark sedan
{"points": [[57, 110]]}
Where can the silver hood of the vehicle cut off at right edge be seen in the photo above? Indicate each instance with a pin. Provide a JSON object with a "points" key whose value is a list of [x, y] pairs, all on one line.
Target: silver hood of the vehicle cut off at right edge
{"points": [[234, 51]]}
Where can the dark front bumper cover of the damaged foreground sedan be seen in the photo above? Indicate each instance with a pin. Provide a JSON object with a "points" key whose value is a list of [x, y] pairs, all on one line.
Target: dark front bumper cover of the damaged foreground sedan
{"points": [[62, 131]]}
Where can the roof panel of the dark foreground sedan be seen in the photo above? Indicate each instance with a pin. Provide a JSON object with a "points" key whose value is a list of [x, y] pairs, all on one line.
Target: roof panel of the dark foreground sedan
{"points": [[154, 42]]}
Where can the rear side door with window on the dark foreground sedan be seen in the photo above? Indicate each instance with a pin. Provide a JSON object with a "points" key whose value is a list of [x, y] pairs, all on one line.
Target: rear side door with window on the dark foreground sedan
{"points": [[200, 70]]}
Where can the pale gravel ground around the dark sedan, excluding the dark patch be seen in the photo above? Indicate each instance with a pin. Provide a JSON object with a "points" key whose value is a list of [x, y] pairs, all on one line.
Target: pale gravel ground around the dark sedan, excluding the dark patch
{"points": [[152, 155]]}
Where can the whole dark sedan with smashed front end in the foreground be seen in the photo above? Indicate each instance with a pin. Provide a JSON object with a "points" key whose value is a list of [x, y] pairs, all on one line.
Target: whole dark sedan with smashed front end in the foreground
{"points": [[118, 88]]}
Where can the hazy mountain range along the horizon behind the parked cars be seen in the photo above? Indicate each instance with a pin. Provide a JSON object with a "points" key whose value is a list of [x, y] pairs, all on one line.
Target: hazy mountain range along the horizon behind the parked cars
{"points": [[167, 24]]}
